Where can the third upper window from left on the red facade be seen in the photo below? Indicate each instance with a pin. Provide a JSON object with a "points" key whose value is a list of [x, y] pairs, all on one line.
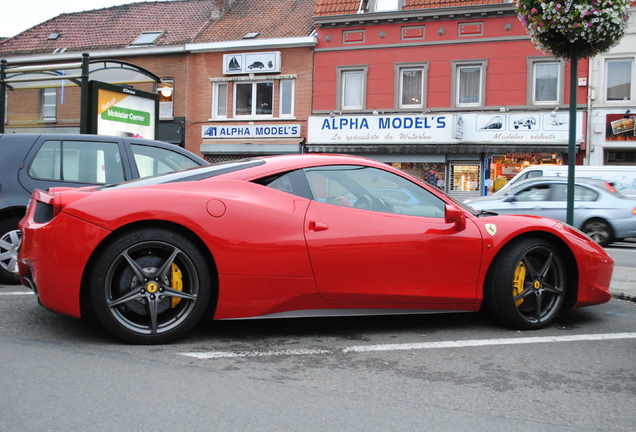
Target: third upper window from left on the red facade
{"points": [[469, 86]]}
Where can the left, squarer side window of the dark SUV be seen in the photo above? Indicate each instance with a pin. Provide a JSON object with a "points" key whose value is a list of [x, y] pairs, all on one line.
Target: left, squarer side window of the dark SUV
{"points": [[78, 161]]}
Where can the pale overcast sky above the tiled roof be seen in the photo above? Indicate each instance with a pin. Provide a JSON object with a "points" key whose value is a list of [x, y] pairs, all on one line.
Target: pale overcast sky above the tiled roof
{"points": [[19, 15]]}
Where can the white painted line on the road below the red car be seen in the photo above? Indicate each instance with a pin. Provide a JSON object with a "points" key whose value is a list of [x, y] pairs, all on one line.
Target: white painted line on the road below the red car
{"points": [[412, 346]]}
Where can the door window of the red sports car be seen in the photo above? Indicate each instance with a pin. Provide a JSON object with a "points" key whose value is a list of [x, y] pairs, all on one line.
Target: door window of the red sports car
{"points": [[372, 189]]}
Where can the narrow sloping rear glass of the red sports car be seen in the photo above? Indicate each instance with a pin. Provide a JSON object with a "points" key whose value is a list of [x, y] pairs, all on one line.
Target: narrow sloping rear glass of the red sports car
{"points": [[190, 174]]}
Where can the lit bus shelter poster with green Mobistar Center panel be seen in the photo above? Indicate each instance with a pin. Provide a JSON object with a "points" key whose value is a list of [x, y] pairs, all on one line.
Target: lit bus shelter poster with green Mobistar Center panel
{"points": [[122, 111]]}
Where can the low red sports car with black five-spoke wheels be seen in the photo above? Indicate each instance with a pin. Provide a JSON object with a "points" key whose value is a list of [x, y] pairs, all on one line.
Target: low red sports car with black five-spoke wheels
{"points": [[295, 236]]}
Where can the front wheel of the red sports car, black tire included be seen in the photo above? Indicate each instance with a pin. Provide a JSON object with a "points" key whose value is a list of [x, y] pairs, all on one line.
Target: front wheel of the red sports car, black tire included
{"points": [[526, 285]]}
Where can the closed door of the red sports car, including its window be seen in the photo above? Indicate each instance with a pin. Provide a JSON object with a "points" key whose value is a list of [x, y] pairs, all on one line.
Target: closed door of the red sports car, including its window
{"points": [[365, 245]]}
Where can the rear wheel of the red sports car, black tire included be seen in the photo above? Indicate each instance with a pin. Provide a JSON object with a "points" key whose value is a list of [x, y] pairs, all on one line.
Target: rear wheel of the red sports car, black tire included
{"points": [[134, 287]]}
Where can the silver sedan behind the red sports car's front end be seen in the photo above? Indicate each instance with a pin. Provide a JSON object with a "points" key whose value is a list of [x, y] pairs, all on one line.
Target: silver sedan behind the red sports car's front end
{"points": [[600, 211]]}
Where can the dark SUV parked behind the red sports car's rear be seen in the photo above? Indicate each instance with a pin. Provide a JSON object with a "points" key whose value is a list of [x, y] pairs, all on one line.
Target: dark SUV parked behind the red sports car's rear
{"points": [[41, 161]]}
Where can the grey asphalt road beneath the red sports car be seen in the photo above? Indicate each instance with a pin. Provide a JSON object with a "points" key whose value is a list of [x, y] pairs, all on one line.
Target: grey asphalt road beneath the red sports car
{"points": [[451, 372]]}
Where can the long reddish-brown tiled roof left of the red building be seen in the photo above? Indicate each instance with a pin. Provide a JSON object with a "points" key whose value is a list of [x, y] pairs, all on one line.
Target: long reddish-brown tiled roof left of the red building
{"points": [[182, 21]]}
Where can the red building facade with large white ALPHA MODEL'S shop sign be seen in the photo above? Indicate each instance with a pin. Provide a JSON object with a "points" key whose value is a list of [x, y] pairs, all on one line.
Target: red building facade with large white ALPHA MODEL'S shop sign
{"points": [[451, 91]]}
